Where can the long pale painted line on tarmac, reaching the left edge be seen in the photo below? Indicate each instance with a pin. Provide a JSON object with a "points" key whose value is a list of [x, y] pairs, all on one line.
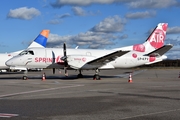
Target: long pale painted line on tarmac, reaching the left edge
{"points": [[41, 90]]}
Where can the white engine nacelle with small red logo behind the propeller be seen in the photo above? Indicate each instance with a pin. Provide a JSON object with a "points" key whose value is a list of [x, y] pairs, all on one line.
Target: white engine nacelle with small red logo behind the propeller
{"points": [[79, 61]]}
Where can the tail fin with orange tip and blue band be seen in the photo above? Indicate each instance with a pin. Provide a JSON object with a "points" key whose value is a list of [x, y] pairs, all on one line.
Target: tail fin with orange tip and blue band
{"points": [[40, 40]]}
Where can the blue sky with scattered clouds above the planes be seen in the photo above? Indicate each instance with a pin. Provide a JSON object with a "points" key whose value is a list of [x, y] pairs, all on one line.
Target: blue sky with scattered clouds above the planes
{"points": [[97, 24]]}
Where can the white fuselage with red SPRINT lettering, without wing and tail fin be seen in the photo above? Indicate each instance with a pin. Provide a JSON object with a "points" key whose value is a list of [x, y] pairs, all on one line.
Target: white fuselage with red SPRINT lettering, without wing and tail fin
{"points": [[77, 59]]}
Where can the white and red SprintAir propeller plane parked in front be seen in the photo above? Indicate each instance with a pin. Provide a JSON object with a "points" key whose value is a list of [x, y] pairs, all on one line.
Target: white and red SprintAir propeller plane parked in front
{"points": [[151, 51]]}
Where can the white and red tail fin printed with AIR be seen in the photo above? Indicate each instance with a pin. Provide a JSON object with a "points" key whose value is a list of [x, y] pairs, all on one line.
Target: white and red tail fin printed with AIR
{"points": [[155, 40]]}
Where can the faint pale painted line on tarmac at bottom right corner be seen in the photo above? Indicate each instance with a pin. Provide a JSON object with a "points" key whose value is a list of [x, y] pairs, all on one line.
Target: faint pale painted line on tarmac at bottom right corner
{"points": [[155, 113]]}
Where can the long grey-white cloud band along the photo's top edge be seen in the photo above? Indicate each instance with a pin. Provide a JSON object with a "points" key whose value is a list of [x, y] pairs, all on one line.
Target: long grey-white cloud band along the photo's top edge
{"points": [[130, 3]]}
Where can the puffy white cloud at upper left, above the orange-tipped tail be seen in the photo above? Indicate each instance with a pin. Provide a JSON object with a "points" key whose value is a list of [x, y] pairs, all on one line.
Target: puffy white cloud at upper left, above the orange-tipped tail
{"points": [[23, 13]]}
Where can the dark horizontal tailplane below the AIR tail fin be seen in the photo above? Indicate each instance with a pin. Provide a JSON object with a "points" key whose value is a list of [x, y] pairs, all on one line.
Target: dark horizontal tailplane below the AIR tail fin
{"points": [[160, 51]]}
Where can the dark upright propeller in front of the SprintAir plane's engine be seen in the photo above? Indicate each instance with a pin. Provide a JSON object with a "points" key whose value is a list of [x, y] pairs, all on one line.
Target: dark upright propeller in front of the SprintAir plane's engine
{"points": [[64, 58]]}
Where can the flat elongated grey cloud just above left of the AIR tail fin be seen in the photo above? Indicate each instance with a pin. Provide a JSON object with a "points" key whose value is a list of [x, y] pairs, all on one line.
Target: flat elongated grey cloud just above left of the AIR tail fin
{"points": [[140, 15]]}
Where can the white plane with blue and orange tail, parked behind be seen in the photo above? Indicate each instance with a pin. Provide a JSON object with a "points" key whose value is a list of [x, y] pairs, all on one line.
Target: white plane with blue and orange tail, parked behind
{"points": [[39, 42]]}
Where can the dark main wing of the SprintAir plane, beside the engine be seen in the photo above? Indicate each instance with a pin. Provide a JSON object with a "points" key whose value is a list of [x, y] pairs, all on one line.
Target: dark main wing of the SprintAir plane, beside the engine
{"points": [[107, 58]]}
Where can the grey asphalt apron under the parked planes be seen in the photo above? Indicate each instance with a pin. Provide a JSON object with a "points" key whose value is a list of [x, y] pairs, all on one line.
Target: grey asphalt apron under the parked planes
{"points": [[153, 94]]}
